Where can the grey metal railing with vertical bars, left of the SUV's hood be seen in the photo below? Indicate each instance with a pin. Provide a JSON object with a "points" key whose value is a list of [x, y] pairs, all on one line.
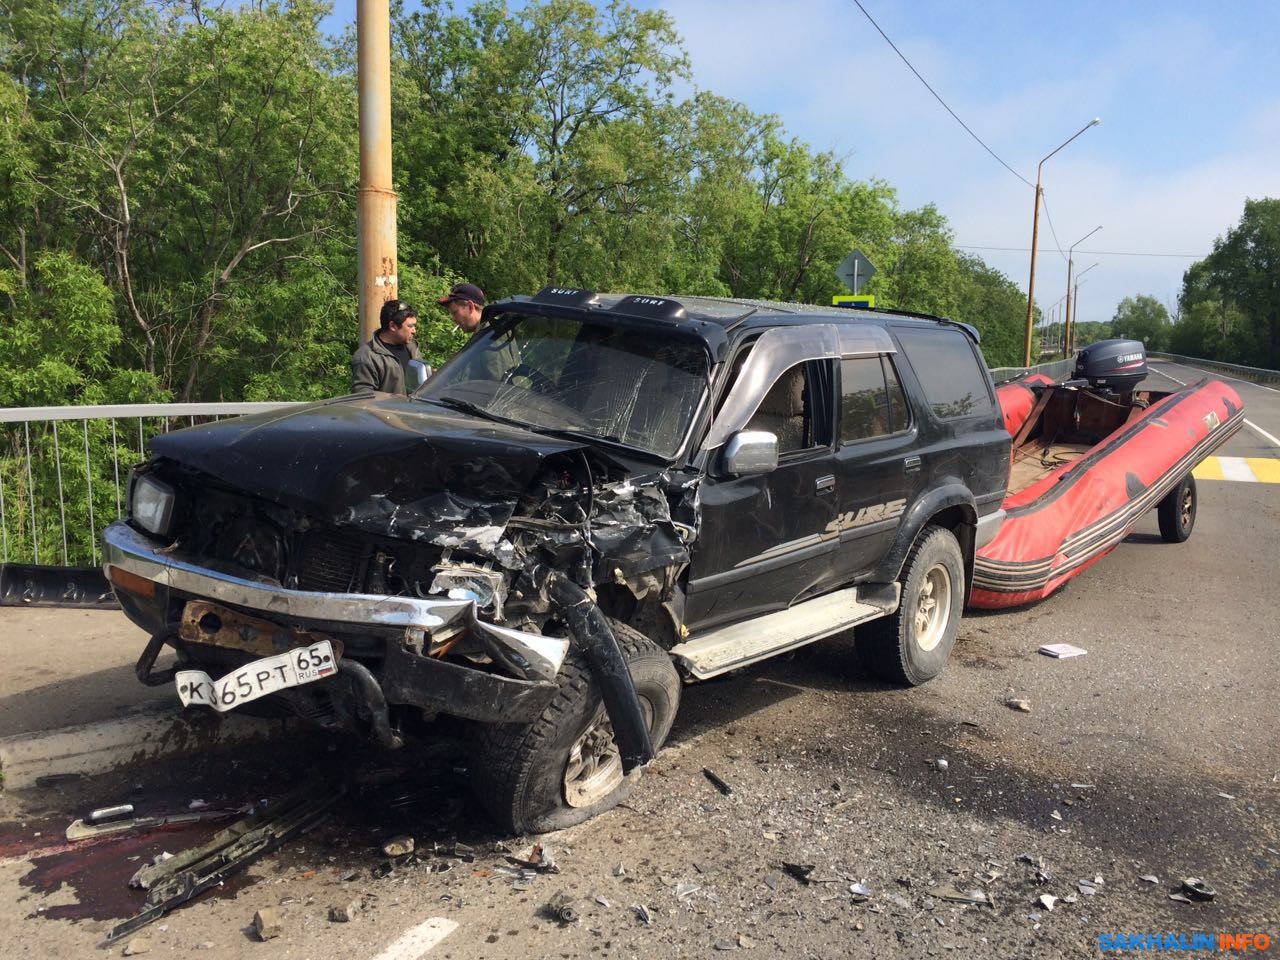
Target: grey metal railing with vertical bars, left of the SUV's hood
{"points": [[61, 473]]}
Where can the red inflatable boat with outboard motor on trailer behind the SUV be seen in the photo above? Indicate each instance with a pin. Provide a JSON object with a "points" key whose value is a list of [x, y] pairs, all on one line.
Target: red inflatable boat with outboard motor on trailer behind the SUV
{"points": [[1090, 458]]}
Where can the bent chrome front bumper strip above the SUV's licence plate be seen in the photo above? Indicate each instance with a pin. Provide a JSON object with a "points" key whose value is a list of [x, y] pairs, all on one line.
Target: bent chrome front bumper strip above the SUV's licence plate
{"points": [[126, 550]]}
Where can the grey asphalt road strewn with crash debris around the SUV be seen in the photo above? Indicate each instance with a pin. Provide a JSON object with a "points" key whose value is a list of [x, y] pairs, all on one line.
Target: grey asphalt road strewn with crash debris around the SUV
{"points": [[1154, 756]]}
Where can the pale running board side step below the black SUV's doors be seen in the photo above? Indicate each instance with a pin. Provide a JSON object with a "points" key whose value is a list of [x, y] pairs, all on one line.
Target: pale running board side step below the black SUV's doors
{"points": [[740, 644]]}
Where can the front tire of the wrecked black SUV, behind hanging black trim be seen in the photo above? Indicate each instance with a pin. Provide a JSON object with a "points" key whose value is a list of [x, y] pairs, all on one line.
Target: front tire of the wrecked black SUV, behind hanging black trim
{"points": [[518, 770]]}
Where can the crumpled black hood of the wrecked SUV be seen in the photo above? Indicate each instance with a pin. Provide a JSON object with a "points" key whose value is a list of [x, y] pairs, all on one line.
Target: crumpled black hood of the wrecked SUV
{"points": [[394, 467]]}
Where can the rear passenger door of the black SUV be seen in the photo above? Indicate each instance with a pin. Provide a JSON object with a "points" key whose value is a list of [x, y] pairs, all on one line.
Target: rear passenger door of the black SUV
{"points": [[879, 473]]}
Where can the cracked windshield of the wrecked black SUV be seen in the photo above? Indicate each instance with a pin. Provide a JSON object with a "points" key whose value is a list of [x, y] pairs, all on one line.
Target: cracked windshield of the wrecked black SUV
{"points": [[632, 387]]}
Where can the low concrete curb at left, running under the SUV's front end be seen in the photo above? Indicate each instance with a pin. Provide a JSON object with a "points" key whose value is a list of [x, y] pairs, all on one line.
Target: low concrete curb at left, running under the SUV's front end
{"points": [[98, 748]]}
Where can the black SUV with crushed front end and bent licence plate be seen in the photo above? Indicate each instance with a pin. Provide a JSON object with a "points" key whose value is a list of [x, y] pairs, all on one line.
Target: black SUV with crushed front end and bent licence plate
{"points": [[597, 497]]}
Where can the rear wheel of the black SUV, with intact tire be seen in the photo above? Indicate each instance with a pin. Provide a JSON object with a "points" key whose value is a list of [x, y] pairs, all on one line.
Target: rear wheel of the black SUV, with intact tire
{"points": [[893, 647]]}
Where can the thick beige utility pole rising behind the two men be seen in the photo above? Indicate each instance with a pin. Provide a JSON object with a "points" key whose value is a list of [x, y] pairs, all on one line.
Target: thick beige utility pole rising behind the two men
{"points": [[376, 211]]}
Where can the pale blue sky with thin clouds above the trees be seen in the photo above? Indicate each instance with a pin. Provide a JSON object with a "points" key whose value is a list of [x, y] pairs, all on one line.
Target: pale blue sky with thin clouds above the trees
{"points": [[1188, 95]]}
